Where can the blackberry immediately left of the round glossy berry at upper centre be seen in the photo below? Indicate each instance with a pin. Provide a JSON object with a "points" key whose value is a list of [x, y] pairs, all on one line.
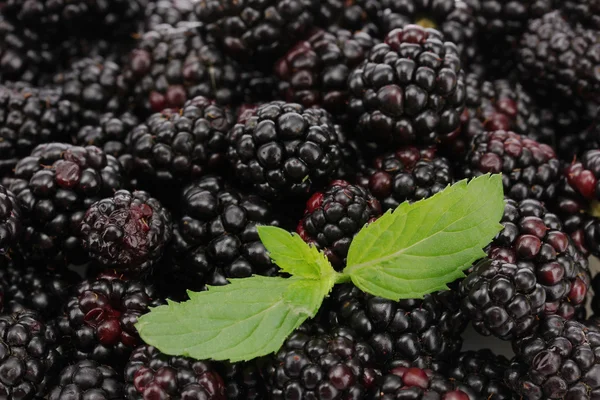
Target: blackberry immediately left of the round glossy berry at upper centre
{"points": [[180, 145]]}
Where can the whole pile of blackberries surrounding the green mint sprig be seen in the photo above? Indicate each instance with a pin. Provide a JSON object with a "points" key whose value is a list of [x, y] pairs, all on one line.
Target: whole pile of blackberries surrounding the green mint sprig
{"points": [[143, 141]]}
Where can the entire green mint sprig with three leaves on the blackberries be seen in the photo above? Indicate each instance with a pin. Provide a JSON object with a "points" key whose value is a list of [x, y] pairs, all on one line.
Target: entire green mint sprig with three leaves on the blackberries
{"points": [[414, 250]]}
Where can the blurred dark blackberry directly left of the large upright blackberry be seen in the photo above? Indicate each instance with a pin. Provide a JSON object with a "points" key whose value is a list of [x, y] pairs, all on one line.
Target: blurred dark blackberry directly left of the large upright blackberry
{"points": [[315, 71]]}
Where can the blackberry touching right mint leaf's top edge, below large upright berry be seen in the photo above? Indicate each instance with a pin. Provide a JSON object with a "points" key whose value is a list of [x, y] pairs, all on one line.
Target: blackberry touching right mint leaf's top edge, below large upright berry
{"points": [[409, 174]]}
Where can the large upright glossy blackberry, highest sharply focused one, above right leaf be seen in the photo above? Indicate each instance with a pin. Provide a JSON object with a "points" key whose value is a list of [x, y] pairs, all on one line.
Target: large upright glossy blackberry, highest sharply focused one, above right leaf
{"points": [[409, 89]]}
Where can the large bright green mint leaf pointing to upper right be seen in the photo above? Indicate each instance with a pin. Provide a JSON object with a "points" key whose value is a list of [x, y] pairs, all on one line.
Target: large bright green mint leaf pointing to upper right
{"points": [[419, 248]]}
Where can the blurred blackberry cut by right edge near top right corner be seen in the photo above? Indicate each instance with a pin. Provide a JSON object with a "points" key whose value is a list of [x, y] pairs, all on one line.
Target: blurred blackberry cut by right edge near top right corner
{"points": [[558, 58]]}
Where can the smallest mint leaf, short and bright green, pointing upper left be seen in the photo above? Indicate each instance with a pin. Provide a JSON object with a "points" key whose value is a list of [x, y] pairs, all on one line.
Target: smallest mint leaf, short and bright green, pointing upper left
{"points": [[293, 255]]}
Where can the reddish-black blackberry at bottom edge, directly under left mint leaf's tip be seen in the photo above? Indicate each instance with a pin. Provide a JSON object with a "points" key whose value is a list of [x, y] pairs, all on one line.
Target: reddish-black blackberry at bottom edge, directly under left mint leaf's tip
{"points": [[150, 374]]}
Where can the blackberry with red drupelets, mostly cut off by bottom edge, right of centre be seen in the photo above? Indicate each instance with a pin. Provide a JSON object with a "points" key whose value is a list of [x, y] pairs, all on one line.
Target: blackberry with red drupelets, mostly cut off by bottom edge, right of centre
{"points": [[420, 384]]}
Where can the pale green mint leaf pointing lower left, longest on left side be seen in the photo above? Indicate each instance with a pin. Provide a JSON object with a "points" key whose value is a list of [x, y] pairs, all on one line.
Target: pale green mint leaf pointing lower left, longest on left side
{"points": [[248, 318]]}
